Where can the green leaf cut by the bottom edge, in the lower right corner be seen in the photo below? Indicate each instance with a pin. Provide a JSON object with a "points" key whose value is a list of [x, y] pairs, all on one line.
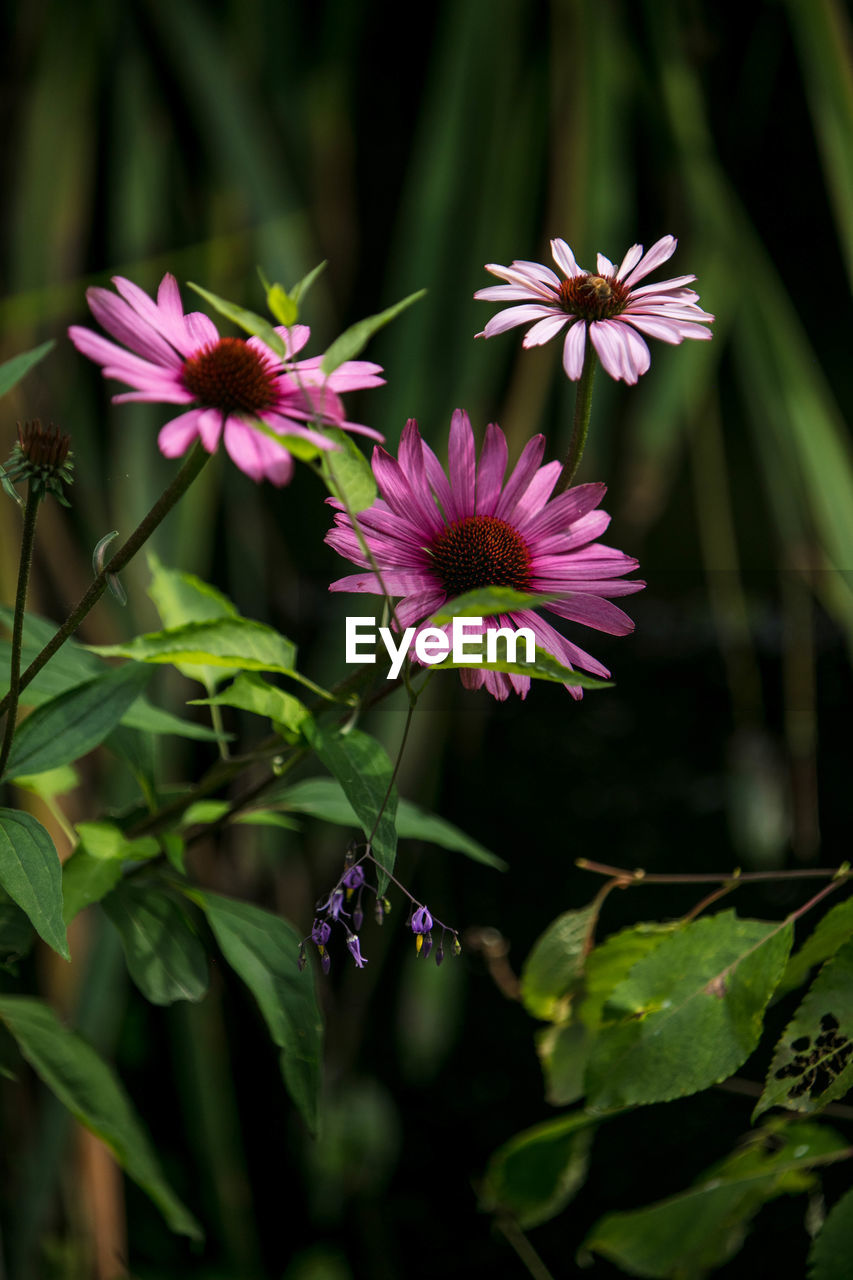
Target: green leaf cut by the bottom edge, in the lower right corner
{"points": [[695, 1233]]}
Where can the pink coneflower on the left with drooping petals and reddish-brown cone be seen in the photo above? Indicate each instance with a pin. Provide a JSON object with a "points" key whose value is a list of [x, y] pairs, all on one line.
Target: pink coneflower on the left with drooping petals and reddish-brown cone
{"points": [[180, 359]]}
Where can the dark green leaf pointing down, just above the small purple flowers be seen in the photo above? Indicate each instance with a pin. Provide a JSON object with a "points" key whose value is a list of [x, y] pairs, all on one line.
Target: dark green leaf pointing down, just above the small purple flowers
{"points": [[364, 771]]}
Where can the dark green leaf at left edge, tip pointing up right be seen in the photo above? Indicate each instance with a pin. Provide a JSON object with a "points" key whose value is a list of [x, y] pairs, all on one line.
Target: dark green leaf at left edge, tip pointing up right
{"points": [[74, 724]]}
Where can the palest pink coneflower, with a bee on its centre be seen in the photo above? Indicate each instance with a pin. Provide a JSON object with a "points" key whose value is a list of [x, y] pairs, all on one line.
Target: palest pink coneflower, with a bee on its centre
{"points": [[606, 304]]}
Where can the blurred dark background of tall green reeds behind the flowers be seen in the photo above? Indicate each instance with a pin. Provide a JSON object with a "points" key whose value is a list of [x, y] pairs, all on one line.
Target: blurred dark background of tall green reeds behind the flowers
{"points": [[409, 148]]}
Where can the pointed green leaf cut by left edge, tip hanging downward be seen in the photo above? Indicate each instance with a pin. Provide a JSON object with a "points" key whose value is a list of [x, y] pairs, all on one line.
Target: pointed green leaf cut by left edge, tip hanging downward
{"points": [[31, 875]]}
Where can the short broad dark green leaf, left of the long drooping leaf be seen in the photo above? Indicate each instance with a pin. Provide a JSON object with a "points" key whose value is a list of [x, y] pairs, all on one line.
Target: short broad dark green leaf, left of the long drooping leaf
{"points": [[163, 952]]}
